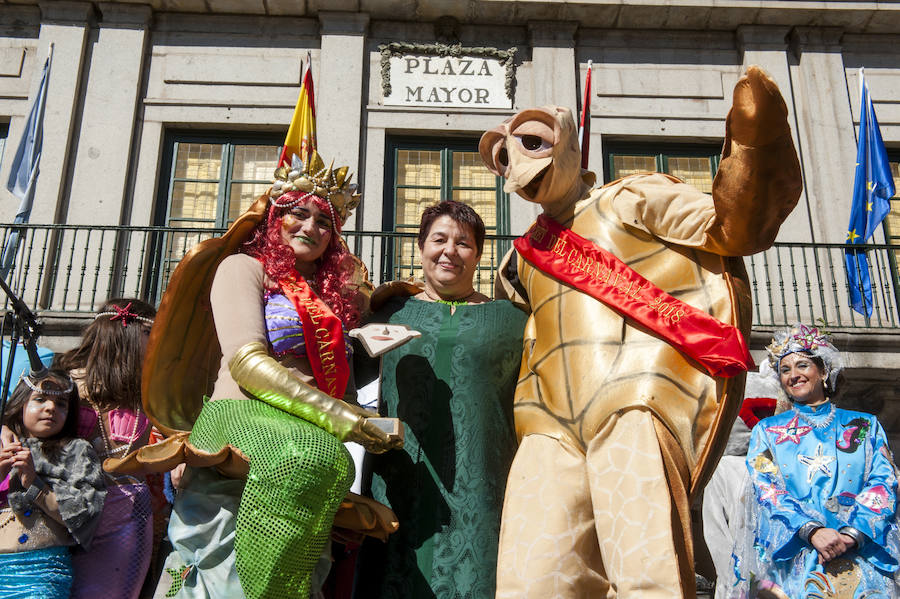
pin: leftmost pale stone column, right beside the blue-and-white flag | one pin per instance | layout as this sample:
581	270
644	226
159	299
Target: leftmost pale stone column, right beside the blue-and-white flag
66	25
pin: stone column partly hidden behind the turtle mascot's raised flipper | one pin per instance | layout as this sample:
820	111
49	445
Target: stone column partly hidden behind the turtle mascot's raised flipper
766	46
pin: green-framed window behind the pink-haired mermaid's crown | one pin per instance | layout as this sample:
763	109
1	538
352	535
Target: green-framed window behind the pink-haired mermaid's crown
211	181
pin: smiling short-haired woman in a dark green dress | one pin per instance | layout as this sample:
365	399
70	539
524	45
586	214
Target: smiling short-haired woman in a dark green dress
453	389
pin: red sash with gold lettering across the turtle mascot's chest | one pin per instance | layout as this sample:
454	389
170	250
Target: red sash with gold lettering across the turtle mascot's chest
574	260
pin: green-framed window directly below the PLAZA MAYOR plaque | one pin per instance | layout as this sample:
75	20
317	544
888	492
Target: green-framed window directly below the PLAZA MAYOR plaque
422	174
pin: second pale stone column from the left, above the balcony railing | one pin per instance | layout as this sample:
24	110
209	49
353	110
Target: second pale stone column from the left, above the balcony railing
109	118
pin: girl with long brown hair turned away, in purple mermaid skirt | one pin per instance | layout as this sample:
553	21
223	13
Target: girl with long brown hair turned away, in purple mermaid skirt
106	368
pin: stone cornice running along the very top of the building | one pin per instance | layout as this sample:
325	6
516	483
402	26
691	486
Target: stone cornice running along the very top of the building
685	15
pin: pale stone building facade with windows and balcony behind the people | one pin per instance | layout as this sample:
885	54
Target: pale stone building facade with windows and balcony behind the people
166	113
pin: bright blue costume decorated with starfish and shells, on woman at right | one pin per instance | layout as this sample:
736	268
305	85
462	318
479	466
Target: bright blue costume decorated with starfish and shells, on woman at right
831	467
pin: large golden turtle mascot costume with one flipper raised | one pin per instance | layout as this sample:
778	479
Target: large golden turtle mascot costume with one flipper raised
634	350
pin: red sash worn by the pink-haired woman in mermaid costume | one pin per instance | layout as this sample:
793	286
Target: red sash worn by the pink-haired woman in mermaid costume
323	334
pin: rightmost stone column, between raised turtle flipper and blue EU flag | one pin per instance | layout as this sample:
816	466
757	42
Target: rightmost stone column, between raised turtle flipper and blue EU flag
825	130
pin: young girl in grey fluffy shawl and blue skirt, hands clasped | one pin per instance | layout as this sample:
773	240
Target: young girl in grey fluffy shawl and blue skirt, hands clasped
52	492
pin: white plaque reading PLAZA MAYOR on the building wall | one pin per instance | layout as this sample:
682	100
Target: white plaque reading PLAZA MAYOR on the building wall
447	81
